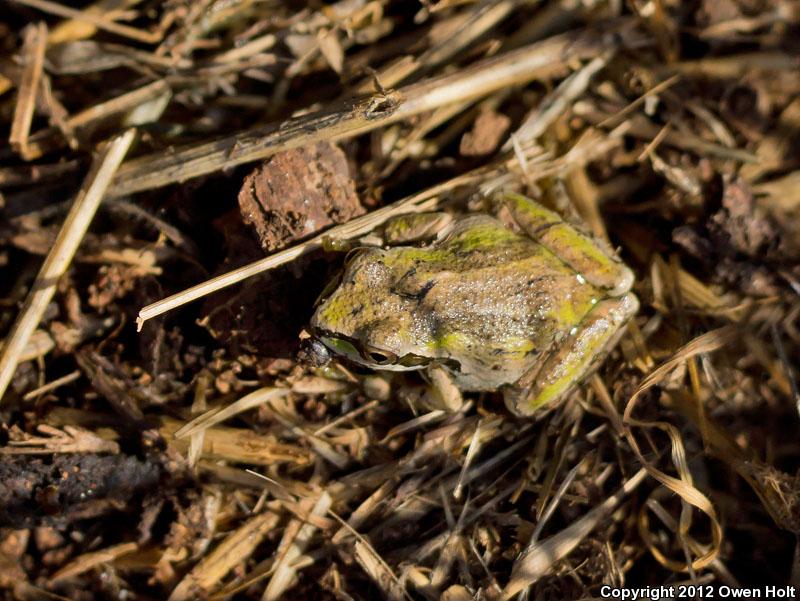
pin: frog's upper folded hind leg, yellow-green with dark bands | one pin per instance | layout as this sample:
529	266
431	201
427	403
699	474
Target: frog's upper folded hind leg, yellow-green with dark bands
580	251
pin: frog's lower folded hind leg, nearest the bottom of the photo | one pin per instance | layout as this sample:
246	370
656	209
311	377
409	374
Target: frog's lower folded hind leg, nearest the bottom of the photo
559	372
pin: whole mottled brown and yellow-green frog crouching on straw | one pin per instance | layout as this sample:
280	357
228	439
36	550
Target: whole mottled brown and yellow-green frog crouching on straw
515	299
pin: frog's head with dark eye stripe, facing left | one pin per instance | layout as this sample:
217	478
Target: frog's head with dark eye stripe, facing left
361	318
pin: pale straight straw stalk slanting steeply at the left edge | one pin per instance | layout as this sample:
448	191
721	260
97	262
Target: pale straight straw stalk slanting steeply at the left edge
60	256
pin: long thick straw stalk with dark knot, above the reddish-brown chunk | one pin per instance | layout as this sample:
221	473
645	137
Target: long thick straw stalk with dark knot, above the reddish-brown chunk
359	116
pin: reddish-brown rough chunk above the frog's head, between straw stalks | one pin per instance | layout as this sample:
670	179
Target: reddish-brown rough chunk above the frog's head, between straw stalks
297	193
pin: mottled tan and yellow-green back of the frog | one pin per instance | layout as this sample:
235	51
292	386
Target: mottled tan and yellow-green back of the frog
491	299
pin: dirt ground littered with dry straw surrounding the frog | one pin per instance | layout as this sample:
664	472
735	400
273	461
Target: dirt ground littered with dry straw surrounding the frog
189	448
